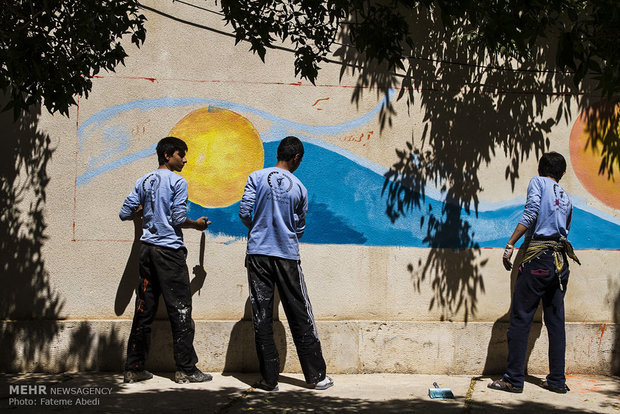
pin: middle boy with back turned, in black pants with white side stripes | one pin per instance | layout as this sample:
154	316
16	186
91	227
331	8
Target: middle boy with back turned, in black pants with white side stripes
274	207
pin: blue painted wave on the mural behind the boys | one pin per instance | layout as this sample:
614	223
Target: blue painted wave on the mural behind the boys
346	206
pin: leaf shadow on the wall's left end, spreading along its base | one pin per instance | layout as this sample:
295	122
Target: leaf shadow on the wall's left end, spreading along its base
30	307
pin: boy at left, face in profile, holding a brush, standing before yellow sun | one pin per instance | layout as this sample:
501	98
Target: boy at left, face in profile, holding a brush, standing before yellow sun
160	198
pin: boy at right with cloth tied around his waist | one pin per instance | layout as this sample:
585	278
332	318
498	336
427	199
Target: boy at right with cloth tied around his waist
543	274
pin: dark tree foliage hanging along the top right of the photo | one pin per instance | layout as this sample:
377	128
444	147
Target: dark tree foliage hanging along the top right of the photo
587	32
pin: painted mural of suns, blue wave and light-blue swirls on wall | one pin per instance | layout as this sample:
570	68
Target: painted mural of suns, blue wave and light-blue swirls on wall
347	204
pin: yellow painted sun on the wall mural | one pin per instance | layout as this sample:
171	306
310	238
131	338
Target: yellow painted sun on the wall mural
223	149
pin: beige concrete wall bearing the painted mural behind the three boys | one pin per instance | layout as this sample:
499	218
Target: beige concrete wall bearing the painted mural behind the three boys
422	292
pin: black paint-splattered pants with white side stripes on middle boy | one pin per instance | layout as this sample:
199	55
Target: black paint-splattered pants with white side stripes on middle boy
264	274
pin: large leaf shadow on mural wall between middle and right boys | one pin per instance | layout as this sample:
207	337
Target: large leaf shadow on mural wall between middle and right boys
475	109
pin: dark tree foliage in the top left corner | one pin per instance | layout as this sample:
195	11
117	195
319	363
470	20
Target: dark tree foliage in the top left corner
50	49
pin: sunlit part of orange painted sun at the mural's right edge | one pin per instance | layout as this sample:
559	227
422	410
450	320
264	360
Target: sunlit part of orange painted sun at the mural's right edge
586	163
